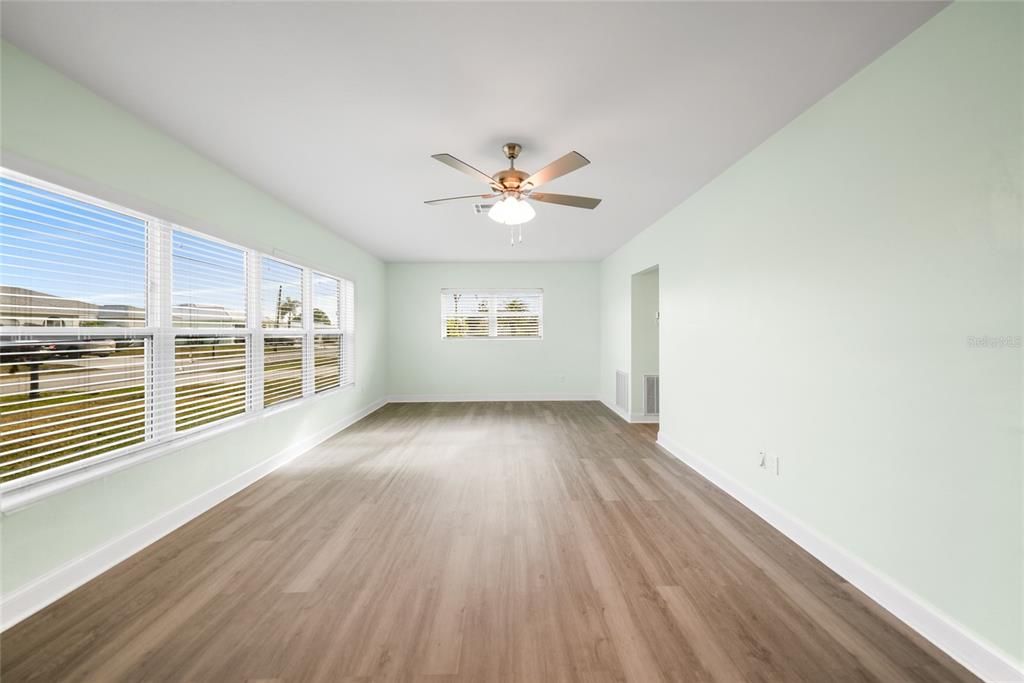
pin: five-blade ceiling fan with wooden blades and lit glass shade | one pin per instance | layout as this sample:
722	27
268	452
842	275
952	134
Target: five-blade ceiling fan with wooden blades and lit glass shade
516	186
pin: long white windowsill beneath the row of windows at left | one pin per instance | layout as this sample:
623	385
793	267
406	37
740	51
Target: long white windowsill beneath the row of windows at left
26	491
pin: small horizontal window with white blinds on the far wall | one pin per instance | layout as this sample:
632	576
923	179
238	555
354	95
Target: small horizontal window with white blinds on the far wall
493	314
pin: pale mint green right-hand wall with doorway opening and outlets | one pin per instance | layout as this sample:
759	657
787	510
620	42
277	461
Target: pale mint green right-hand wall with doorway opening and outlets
818	302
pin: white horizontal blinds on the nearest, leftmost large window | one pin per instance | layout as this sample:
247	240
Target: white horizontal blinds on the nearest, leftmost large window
72	288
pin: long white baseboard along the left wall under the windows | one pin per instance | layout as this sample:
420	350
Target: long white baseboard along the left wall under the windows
56	584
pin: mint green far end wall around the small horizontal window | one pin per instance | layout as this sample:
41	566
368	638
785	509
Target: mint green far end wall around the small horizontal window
563	365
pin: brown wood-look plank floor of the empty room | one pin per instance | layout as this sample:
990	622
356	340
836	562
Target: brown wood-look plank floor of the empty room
475	542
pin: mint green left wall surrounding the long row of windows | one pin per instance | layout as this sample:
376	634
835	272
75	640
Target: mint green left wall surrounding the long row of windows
53	125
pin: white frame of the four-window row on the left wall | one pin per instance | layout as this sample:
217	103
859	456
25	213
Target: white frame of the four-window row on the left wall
161	334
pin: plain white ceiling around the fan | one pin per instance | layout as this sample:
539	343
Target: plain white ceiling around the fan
336	108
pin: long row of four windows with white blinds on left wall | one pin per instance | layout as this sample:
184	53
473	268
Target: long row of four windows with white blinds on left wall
120	331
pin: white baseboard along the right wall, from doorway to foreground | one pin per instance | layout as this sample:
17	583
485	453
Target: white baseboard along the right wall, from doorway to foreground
944	632
